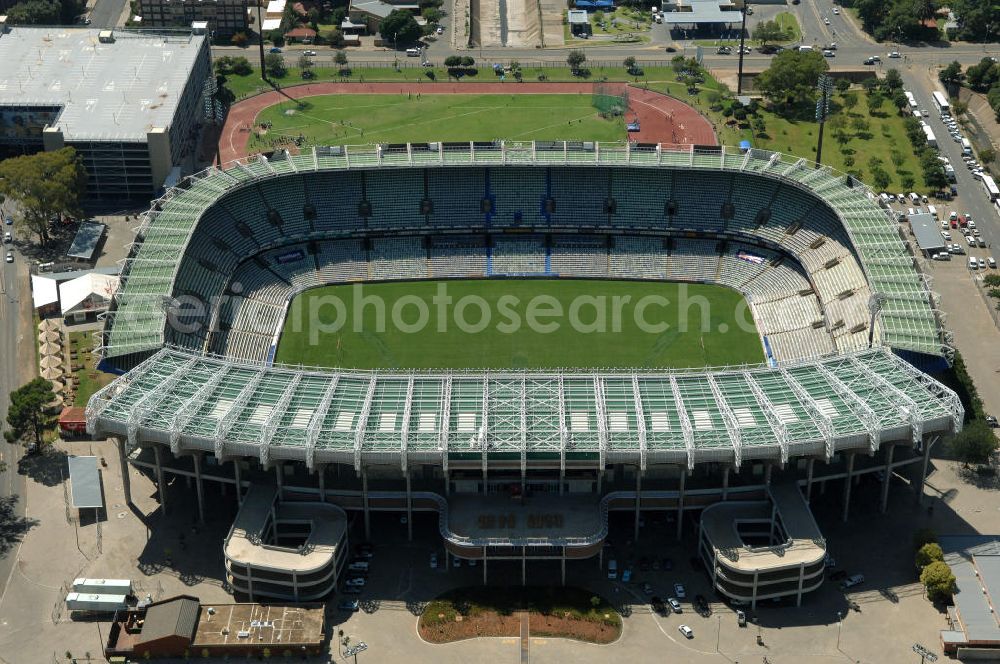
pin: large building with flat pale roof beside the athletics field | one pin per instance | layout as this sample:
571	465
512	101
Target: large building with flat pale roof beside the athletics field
131	103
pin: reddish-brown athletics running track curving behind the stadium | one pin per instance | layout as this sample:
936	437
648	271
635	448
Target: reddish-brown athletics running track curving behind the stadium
663	119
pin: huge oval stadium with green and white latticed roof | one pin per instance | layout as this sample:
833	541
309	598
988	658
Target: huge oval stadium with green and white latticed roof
522	463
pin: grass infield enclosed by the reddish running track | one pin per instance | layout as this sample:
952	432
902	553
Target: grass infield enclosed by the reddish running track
357	119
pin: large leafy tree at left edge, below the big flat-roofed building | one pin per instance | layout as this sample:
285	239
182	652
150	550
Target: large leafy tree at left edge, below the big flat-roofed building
45	184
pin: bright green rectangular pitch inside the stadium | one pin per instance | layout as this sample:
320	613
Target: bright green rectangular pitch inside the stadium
498	324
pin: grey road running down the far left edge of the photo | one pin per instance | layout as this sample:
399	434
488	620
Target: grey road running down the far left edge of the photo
14	295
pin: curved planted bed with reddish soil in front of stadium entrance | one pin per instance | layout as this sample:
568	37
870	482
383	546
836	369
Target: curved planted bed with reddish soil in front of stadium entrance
572	613
